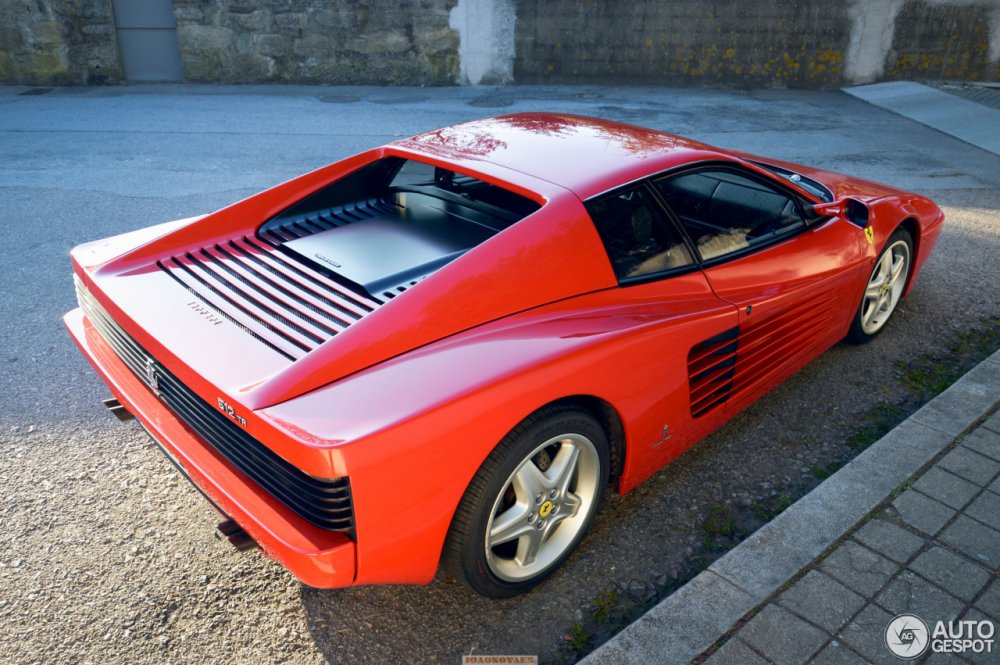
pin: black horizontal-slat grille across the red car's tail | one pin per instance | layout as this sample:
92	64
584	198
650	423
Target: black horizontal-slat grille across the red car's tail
325	503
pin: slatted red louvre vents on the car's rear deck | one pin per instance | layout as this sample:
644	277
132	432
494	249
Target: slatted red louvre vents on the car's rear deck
278	299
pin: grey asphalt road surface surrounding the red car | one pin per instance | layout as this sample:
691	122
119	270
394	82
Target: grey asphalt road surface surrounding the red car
104	552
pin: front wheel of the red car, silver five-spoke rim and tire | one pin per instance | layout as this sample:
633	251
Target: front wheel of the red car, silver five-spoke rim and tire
885	288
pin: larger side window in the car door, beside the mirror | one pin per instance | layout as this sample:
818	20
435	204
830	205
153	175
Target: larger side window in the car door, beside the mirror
725	212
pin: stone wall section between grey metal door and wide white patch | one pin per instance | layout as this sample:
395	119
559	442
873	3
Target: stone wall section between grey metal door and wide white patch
308	41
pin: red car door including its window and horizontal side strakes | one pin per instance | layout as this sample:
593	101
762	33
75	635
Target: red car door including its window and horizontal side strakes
795	284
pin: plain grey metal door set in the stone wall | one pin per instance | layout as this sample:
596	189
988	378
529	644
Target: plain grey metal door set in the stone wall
147	39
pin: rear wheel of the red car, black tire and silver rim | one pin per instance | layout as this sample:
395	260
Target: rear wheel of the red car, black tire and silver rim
492	493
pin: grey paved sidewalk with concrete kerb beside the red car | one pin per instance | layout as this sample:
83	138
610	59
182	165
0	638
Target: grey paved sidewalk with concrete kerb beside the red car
912	525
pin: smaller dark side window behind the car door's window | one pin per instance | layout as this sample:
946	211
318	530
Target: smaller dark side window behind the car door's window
638	240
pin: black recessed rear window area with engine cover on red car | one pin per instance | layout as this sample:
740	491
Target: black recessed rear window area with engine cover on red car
391	223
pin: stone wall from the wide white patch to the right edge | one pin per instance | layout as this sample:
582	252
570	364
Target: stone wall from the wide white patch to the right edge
754	43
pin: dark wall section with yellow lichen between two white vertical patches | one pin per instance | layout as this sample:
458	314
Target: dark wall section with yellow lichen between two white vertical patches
714	42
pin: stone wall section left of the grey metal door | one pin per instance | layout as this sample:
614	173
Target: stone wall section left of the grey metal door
58	42
